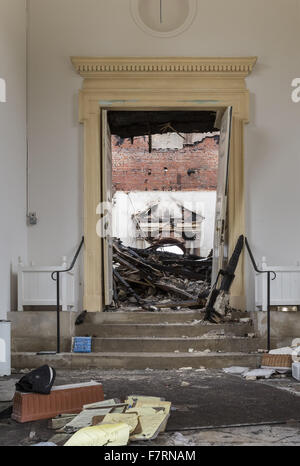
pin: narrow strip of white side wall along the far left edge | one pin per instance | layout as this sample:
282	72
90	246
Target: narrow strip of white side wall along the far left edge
13	239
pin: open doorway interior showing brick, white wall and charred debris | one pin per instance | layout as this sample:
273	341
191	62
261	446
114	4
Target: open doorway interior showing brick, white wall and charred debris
165	174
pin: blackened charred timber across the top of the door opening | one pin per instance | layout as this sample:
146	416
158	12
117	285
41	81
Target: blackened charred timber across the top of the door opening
139	123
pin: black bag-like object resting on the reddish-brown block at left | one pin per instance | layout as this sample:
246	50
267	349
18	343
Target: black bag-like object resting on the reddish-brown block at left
38	381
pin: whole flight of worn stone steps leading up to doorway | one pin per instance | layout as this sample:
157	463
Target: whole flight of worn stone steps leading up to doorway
140	340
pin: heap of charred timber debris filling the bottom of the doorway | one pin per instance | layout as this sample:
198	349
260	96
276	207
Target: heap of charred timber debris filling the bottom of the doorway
156	279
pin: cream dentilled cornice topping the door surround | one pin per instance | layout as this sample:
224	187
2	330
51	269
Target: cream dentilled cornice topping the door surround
89	67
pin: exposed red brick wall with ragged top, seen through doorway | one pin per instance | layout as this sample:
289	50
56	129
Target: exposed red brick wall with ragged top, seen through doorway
135	169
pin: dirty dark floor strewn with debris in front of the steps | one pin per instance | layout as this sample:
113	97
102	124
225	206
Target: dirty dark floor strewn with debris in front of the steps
209	407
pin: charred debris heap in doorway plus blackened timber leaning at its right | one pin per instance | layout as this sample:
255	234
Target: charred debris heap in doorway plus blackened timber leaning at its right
155	279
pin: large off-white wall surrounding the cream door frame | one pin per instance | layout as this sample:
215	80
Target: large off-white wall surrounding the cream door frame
266	28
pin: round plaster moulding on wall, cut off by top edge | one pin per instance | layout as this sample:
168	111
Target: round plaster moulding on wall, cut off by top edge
163	18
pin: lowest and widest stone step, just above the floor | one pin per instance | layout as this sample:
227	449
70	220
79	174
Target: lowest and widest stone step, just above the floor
138	360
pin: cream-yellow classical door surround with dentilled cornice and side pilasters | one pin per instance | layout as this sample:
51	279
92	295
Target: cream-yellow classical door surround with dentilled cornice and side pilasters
187	83
